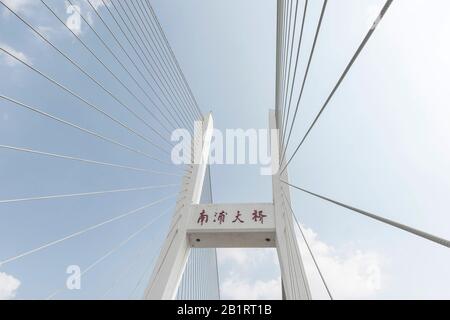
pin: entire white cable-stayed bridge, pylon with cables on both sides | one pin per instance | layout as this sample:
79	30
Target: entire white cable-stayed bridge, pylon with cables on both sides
185	267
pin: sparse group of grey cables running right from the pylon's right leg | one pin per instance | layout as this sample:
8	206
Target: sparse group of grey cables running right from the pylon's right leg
283	110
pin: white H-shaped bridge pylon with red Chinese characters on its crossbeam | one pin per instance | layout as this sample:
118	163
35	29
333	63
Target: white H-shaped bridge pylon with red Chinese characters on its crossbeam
239	225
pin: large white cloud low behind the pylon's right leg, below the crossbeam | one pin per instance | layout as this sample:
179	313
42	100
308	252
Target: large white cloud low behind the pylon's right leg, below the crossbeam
350	274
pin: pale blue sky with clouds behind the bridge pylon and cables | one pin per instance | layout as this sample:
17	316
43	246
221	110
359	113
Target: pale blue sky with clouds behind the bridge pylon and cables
381	145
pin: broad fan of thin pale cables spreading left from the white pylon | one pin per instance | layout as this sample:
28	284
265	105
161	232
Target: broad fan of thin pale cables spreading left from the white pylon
122	69
